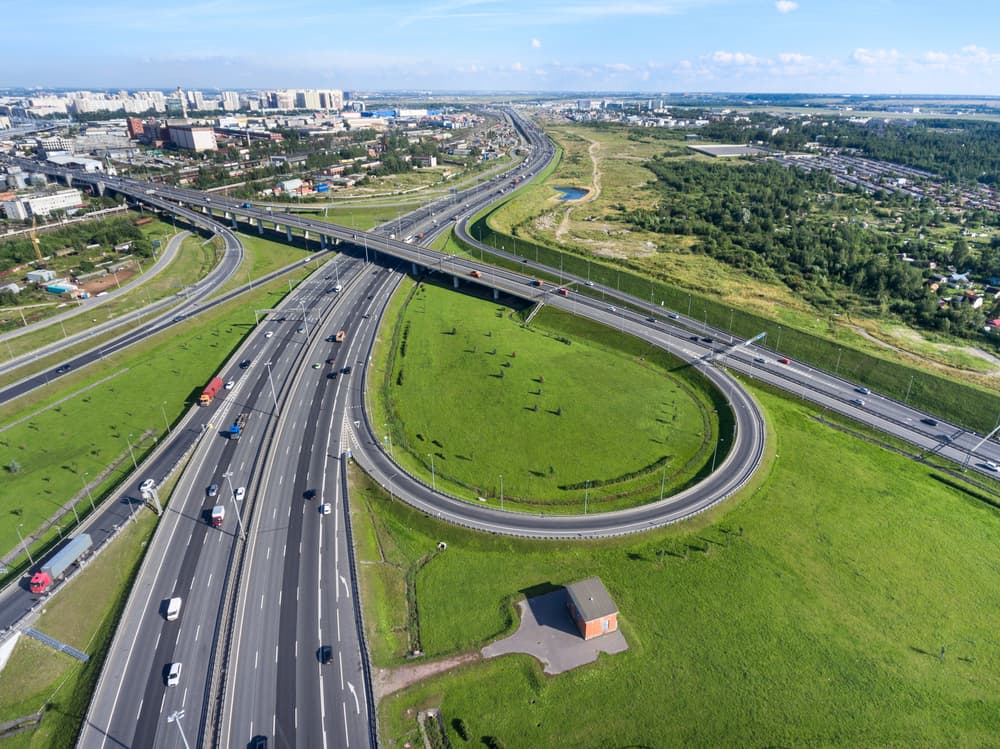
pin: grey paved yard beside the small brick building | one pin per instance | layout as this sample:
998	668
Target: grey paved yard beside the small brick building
548	632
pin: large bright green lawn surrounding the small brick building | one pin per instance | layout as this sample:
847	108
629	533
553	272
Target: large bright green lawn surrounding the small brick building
845	600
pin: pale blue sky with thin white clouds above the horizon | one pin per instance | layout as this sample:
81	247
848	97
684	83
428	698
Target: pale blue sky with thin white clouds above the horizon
801	46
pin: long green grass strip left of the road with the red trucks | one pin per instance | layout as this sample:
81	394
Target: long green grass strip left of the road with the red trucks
86	438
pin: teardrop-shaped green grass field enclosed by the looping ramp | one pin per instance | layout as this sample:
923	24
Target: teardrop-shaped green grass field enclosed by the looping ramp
539	405
